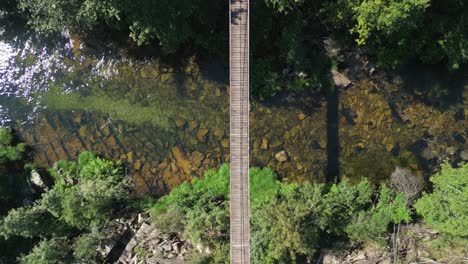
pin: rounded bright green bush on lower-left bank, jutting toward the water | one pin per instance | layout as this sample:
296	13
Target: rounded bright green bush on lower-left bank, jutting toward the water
87	191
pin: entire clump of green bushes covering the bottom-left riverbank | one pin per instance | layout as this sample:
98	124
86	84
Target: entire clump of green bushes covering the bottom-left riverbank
71	214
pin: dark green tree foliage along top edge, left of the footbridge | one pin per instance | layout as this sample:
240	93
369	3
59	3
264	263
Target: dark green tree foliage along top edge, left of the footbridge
167	22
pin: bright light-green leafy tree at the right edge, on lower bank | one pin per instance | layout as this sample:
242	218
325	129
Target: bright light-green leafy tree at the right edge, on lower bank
445	208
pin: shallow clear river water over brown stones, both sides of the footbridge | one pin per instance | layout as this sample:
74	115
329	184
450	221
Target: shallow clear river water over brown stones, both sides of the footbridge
169	124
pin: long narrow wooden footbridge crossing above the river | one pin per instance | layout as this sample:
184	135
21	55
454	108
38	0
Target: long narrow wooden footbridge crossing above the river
239	130
